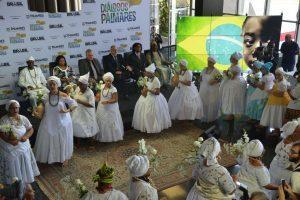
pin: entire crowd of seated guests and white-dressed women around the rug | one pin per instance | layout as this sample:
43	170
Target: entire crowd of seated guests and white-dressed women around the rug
67	108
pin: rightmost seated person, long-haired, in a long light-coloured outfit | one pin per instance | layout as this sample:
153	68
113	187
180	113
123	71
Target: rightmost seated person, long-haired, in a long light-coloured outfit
154	56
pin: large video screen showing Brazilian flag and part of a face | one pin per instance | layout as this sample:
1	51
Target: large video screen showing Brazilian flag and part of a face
199	37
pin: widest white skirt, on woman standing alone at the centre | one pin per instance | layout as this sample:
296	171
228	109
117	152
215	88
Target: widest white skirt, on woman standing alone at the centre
154	114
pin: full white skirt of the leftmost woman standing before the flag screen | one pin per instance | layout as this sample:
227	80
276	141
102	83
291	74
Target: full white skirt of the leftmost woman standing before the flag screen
185	103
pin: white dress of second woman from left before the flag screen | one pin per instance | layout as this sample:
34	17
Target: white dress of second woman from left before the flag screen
210	96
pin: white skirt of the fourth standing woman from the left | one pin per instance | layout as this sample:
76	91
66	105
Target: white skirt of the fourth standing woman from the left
109	122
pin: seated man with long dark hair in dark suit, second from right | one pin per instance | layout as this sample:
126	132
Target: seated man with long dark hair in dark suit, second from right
137	61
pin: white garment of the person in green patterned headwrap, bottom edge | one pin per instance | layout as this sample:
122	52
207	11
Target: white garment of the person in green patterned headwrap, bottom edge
110	195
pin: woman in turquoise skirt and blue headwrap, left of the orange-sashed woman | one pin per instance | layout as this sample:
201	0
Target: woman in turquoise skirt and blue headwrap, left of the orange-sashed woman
258	99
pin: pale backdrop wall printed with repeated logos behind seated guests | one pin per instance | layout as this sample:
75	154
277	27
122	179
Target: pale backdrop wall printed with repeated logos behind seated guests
100	24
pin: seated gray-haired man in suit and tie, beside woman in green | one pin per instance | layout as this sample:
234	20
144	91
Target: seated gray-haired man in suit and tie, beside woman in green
92	65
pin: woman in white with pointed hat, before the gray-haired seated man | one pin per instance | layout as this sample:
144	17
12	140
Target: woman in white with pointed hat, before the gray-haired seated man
84	116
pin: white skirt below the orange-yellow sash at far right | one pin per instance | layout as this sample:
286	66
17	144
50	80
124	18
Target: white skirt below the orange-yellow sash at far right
273	116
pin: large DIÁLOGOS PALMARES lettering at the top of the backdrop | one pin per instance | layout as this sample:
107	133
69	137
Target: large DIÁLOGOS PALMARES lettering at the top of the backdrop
118	12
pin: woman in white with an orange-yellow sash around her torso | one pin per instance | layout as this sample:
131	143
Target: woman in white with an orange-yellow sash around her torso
278	100
